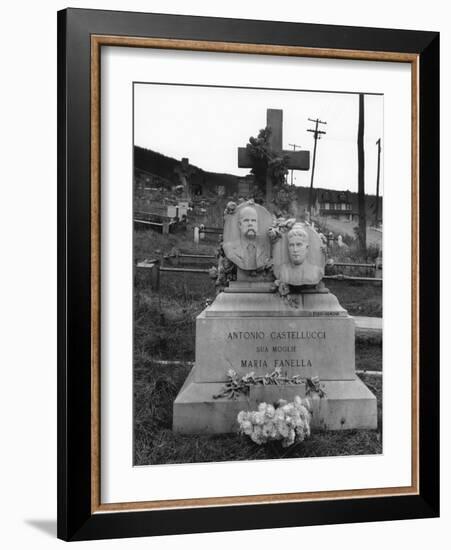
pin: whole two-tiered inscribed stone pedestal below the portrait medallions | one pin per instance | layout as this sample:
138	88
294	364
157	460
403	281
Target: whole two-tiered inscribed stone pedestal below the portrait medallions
251	330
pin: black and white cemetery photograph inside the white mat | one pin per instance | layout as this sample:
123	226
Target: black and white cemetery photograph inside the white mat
258	261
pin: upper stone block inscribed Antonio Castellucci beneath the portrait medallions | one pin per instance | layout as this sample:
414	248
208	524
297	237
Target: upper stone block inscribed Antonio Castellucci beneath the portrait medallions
258	331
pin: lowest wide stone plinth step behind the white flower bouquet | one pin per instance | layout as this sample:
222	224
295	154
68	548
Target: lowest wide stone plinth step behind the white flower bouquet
348	404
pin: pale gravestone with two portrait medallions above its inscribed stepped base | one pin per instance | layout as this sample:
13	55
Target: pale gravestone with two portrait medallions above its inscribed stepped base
253	328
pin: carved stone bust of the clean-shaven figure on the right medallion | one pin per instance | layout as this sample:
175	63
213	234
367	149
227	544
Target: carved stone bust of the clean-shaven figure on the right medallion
299	271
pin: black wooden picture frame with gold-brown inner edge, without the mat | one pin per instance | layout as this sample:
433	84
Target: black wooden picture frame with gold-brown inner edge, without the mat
81	35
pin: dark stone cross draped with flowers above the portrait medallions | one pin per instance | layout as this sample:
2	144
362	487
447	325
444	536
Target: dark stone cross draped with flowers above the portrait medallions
297	160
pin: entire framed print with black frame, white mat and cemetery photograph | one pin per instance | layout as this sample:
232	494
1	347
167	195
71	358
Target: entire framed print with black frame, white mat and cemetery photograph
248	274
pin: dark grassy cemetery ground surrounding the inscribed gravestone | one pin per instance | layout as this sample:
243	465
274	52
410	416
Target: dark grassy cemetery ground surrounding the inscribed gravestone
164	338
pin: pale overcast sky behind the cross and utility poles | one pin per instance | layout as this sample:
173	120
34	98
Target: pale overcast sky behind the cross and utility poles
208	124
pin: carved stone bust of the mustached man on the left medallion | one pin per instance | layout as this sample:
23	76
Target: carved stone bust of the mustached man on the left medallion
250	251
